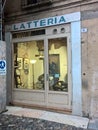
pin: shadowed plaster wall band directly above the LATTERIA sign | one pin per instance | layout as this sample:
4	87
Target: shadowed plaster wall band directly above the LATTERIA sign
15	13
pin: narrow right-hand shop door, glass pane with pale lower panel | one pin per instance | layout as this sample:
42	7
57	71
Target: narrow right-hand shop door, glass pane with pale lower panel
59	88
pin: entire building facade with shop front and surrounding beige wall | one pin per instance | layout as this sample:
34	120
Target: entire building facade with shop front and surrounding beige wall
52	55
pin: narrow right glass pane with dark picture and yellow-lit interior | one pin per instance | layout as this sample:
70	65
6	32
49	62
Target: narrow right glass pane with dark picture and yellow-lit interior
58	67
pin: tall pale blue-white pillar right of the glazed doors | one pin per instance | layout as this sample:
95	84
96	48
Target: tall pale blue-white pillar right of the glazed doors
76	68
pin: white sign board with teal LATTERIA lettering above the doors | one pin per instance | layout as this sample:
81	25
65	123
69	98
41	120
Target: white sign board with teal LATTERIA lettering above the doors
51	21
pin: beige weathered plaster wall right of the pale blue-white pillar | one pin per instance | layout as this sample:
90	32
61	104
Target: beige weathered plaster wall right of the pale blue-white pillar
90	66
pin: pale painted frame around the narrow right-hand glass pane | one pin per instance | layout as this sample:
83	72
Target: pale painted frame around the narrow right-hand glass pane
65	35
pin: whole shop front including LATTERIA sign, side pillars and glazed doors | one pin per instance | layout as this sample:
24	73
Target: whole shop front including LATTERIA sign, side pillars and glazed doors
46	63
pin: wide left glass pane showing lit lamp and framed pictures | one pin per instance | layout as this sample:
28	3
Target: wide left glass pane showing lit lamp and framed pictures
28	65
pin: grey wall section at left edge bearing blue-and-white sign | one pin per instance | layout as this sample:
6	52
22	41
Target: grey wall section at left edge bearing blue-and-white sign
2	76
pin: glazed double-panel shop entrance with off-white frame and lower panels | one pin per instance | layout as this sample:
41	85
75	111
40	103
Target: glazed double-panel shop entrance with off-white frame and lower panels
42	71
